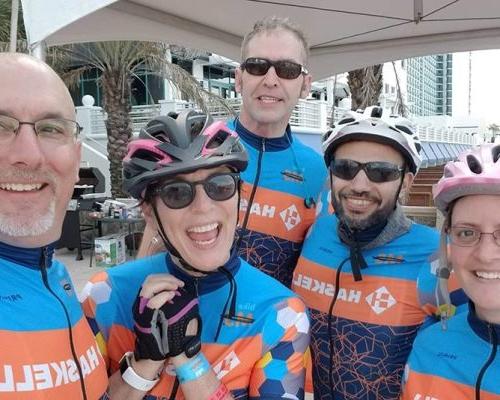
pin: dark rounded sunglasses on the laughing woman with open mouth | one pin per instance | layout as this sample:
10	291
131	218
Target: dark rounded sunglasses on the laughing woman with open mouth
179	194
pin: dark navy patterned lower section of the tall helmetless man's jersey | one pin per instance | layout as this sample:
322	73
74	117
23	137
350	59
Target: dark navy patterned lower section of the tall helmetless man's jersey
275	256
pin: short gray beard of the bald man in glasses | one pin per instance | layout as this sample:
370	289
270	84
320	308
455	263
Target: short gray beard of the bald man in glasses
28	224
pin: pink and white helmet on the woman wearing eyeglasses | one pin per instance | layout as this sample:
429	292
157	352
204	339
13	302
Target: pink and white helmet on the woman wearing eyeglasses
477	171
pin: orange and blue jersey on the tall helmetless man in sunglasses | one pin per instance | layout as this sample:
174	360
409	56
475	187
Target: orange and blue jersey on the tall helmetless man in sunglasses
280	187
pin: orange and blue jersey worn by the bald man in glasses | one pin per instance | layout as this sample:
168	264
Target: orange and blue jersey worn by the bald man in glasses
36	358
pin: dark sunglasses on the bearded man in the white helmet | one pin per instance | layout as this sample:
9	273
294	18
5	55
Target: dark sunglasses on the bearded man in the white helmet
376	171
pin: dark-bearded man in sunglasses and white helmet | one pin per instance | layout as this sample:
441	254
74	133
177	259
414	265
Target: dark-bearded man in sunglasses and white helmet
358	268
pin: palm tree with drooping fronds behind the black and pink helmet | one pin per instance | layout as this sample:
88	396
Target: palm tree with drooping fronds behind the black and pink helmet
118	63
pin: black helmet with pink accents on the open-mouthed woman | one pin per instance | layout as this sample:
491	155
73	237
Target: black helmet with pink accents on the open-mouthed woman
178	144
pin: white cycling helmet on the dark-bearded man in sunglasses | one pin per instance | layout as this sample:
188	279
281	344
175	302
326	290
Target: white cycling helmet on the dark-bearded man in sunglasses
371	127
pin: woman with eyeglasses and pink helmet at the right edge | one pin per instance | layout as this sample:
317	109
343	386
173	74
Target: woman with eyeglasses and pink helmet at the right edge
463	360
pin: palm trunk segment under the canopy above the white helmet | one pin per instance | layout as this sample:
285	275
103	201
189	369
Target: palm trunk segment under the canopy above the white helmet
365	85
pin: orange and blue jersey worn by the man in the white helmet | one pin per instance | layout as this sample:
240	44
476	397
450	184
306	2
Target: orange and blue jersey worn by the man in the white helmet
374	321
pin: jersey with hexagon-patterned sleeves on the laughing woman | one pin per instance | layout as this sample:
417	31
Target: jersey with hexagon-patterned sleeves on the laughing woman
258	359
